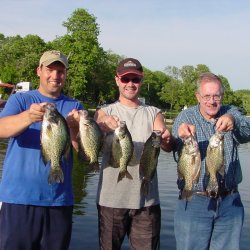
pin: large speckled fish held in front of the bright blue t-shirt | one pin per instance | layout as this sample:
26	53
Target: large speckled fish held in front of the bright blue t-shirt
55	142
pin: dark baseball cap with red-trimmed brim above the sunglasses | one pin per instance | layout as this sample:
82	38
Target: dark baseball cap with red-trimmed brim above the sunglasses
129	65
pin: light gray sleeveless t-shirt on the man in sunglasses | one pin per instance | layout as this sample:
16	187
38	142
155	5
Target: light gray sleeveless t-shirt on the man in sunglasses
126	193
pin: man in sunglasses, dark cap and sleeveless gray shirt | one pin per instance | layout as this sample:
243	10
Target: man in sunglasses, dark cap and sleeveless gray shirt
122	208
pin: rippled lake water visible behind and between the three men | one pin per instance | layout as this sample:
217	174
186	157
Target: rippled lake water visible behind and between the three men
85	225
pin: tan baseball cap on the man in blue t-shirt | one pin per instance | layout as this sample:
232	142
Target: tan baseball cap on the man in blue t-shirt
51	56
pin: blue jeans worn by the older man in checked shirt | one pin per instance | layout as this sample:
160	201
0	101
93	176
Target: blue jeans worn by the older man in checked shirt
208	223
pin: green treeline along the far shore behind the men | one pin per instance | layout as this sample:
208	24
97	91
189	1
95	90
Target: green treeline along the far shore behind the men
91	72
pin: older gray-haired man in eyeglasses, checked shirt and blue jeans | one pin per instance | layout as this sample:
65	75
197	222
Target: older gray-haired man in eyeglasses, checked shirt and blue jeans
211	220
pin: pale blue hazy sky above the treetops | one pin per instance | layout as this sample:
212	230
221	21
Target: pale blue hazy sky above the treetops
159	33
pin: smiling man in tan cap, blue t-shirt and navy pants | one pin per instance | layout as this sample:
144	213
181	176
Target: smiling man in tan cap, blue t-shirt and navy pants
34	213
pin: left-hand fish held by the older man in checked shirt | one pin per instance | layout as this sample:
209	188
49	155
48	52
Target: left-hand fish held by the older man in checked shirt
188	166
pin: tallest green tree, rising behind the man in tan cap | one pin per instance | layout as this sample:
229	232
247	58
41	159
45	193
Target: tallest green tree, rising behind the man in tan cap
86	57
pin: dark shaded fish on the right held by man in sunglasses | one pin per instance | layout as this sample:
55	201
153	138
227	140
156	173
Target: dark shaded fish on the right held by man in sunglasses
149	160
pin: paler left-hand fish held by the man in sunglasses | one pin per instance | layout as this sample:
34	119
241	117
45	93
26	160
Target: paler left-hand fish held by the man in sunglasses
122	150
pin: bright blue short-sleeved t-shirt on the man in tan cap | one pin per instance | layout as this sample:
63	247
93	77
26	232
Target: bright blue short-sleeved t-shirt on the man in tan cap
25	176
